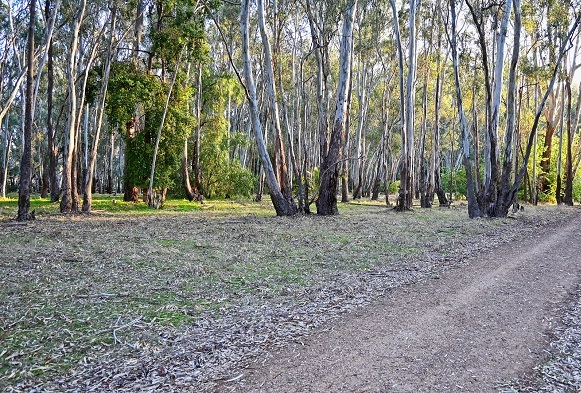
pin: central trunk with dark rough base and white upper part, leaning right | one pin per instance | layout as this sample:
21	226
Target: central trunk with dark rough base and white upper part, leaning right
331	162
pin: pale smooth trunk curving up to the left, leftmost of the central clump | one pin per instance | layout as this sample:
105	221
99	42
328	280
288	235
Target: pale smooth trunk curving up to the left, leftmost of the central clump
281	204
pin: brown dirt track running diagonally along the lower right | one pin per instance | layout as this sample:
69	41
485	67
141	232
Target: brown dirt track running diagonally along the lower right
468	330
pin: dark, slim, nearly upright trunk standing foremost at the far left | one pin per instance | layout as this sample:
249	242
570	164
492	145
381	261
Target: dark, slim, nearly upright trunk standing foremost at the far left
26	162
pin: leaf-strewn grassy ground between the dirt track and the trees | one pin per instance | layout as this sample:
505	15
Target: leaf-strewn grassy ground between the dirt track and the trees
185	302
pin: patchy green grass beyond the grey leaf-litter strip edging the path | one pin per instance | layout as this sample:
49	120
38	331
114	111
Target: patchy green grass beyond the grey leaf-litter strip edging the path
68	284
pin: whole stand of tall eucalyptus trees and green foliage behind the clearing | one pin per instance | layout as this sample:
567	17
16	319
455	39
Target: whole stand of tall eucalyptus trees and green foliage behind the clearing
303	100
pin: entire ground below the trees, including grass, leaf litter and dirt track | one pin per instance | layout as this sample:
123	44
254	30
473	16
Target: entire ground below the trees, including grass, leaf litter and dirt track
238	300
